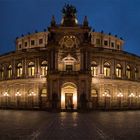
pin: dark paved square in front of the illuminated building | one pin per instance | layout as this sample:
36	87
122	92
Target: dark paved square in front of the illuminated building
33	125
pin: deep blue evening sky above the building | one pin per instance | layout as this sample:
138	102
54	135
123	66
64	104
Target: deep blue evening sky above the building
119	17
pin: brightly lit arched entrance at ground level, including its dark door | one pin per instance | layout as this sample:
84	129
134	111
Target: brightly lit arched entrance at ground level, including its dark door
69	96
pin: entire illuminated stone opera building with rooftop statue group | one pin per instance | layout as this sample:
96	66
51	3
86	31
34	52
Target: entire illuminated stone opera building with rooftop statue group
69	66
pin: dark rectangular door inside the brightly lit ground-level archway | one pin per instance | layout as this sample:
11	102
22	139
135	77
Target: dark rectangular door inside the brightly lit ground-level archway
69	100
